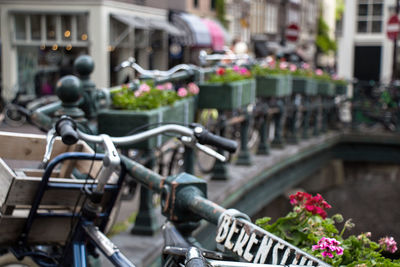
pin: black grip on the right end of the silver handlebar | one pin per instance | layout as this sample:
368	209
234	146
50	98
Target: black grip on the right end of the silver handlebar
206	138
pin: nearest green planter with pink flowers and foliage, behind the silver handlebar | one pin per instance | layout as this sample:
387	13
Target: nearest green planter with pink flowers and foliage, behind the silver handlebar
147	106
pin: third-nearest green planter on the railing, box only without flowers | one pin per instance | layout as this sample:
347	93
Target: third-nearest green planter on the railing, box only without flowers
274	86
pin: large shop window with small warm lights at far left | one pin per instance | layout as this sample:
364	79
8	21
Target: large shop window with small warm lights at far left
47	44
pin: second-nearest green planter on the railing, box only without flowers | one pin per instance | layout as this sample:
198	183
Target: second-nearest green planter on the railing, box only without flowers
227	96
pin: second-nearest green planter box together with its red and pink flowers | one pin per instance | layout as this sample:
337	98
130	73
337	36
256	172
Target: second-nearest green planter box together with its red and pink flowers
227	89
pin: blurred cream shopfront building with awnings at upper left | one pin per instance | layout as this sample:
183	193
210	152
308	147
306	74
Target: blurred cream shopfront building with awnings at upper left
41	38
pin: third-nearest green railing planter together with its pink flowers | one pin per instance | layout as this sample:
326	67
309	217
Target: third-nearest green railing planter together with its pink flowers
273	80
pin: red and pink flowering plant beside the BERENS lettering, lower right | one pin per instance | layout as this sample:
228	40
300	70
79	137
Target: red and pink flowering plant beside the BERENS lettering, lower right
309	228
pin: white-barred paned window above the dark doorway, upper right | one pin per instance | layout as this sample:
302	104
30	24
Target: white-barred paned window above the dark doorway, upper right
369	16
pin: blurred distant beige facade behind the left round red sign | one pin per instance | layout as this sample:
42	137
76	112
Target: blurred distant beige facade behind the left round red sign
269	20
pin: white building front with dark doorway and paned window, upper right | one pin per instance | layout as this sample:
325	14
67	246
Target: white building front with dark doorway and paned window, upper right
364	50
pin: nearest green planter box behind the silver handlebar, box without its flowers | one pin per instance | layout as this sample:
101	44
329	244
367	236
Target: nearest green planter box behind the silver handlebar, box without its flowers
116	122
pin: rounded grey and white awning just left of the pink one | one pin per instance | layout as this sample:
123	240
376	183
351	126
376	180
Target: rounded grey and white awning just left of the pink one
196	32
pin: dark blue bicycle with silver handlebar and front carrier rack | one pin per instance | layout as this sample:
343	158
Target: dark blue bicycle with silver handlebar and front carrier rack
91	221
